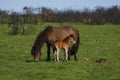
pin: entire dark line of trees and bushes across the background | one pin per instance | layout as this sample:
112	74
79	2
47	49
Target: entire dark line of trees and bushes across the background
32	16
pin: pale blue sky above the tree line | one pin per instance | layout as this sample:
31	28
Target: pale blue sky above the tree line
17	5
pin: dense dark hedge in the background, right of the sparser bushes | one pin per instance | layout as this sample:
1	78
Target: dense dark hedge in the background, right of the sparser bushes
99	16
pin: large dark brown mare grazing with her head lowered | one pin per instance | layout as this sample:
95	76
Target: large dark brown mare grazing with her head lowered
49	35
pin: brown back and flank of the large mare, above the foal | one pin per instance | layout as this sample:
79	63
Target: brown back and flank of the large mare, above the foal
60	33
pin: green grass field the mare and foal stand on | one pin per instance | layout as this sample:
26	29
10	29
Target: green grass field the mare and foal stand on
97	41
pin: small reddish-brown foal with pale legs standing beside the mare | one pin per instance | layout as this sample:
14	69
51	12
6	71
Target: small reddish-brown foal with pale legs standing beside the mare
64	44
